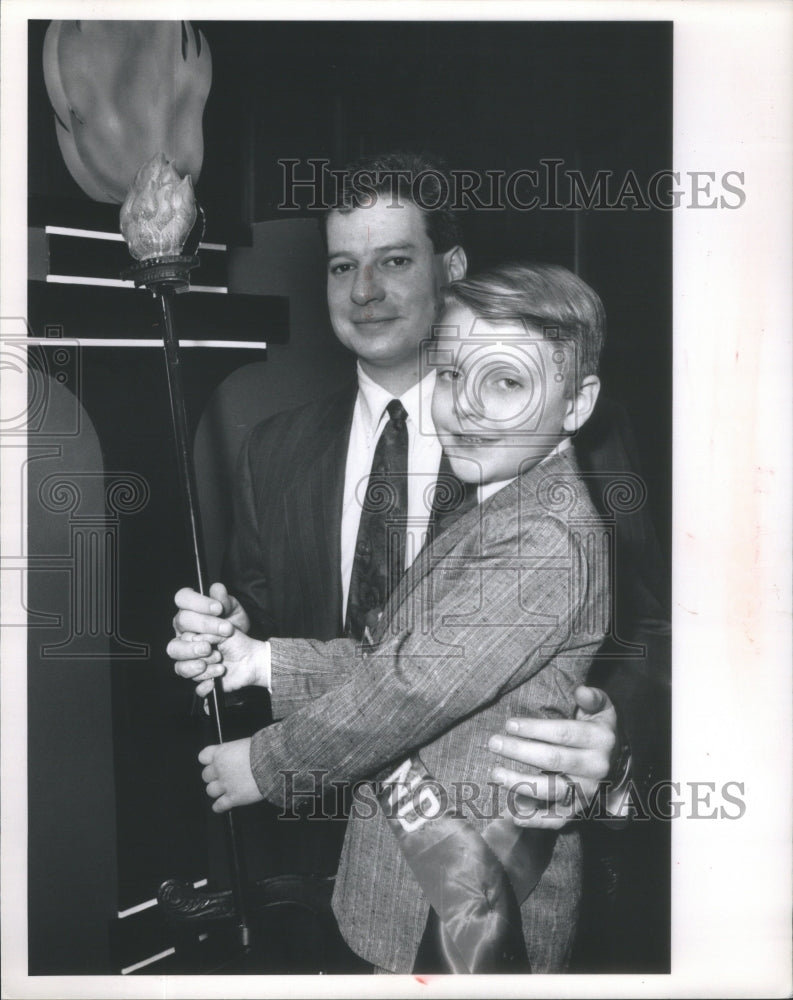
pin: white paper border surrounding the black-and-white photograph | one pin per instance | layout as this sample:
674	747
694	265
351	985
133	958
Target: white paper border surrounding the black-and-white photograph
733	363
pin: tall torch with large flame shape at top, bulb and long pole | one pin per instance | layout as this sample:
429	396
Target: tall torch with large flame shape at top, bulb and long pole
126	93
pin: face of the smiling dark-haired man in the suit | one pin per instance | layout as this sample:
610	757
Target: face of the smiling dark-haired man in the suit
383	284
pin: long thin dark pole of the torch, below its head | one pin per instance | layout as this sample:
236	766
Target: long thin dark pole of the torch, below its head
187	480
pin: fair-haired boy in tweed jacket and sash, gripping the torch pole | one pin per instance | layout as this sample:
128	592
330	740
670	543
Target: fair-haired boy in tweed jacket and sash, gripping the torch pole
499	616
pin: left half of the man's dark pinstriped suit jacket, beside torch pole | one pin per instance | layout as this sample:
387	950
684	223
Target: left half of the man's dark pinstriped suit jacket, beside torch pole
284	559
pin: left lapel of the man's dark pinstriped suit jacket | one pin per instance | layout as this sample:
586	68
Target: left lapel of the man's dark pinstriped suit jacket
312	508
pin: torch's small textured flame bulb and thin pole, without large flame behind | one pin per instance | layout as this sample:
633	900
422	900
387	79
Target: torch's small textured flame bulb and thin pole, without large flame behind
163	226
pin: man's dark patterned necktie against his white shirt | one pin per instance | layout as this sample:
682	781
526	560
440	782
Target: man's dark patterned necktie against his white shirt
380	548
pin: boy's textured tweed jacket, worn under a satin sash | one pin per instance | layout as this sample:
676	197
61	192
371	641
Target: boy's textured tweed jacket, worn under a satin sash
500	616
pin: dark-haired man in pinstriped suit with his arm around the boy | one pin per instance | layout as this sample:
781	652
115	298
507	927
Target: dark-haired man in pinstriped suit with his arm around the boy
297	499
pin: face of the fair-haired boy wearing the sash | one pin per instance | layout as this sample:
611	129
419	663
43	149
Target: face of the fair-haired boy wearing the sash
502	402
